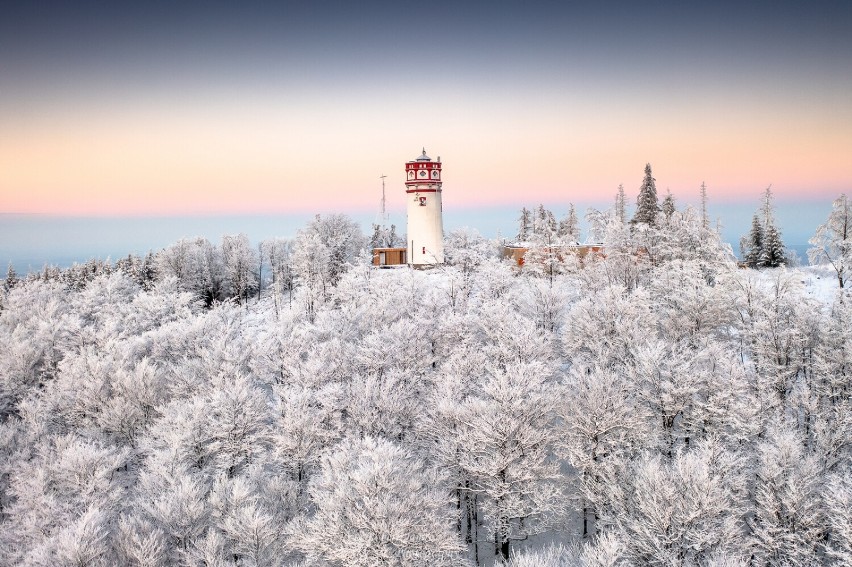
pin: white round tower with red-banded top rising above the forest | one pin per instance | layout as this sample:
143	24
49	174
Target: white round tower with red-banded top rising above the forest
425	222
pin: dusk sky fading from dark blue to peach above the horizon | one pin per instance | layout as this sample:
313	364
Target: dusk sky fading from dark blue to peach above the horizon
114	109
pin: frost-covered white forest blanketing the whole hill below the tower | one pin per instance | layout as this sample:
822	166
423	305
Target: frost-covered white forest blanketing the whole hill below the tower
288	404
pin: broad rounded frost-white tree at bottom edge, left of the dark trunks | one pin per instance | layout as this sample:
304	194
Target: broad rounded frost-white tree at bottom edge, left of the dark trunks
376	504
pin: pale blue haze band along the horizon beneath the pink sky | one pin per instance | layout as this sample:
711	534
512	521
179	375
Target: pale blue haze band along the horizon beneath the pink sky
30	241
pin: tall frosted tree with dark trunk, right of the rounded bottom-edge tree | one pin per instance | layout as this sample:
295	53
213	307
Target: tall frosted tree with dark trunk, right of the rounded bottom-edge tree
511	469
